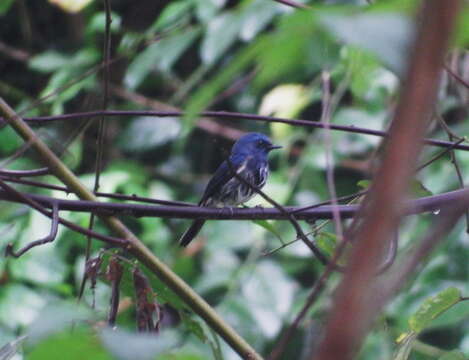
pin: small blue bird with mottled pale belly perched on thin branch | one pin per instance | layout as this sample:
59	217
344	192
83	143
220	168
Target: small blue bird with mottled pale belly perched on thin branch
248	158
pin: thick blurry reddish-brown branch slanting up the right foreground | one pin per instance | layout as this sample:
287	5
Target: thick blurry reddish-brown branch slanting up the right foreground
380	213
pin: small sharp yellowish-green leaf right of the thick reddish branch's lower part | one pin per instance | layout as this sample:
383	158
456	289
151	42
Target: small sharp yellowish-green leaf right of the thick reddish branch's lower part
433	307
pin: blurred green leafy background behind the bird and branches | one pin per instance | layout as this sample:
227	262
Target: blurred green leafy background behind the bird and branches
252	56
